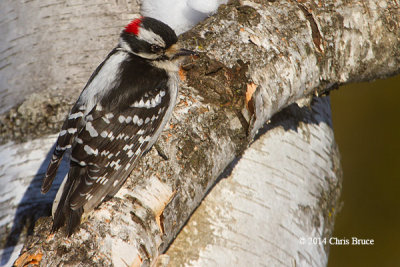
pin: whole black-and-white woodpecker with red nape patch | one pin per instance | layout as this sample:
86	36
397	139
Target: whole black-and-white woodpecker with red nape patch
119	115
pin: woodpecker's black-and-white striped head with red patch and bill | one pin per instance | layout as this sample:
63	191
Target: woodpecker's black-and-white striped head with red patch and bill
151	39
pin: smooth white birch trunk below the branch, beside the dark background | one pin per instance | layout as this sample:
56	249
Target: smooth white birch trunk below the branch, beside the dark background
277	205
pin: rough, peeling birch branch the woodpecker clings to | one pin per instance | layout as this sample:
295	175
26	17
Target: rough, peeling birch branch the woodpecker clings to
277	53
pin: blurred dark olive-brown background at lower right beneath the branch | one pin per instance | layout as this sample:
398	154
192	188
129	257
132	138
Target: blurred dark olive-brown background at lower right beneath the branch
366	121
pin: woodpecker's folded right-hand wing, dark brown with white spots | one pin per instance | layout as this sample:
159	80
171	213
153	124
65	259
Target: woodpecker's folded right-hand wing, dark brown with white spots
109	145
